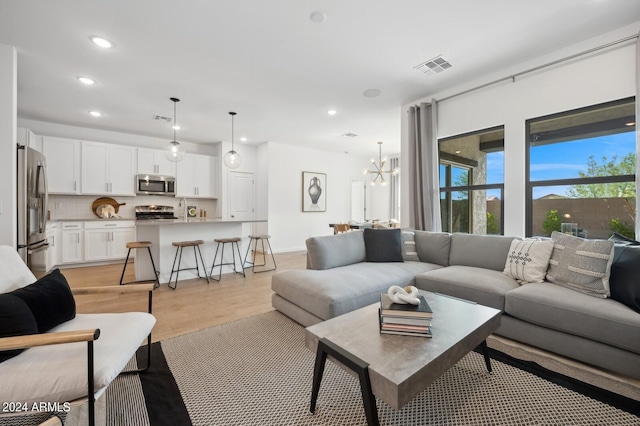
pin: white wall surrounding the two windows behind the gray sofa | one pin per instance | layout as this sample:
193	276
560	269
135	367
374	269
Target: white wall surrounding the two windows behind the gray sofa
599	77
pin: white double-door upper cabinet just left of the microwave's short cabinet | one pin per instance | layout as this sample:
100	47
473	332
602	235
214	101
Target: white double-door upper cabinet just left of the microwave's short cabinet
108	169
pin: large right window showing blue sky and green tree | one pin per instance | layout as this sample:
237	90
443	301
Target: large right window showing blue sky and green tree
581	171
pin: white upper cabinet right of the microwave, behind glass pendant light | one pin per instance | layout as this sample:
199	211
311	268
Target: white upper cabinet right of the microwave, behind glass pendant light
195	177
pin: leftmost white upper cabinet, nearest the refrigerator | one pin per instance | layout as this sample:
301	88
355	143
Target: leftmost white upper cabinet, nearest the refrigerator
63	164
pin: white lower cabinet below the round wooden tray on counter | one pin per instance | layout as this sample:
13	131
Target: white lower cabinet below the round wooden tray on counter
107	240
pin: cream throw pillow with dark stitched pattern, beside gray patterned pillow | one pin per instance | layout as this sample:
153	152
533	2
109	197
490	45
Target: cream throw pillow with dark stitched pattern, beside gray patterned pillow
527	260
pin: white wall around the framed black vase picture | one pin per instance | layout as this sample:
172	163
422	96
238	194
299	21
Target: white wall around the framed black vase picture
289	227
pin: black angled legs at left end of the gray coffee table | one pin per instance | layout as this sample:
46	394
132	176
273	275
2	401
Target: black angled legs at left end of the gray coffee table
326	347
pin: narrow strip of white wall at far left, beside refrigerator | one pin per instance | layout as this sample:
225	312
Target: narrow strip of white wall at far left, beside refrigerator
8	108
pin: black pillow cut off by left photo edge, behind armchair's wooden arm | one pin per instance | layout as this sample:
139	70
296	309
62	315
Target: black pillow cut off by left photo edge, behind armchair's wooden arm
16	319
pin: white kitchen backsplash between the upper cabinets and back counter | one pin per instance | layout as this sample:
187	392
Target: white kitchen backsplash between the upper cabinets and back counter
66	207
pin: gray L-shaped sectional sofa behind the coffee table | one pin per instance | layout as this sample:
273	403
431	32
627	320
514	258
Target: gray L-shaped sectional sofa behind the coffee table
338	279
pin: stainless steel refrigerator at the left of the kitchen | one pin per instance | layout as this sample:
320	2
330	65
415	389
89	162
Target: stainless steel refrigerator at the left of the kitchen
32	203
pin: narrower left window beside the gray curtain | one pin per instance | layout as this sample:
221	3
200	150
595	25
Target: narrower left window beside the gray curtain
472	182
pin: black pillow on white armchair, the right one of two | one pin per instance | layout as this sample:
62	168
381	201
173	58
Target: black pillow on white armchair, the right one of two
50	300
